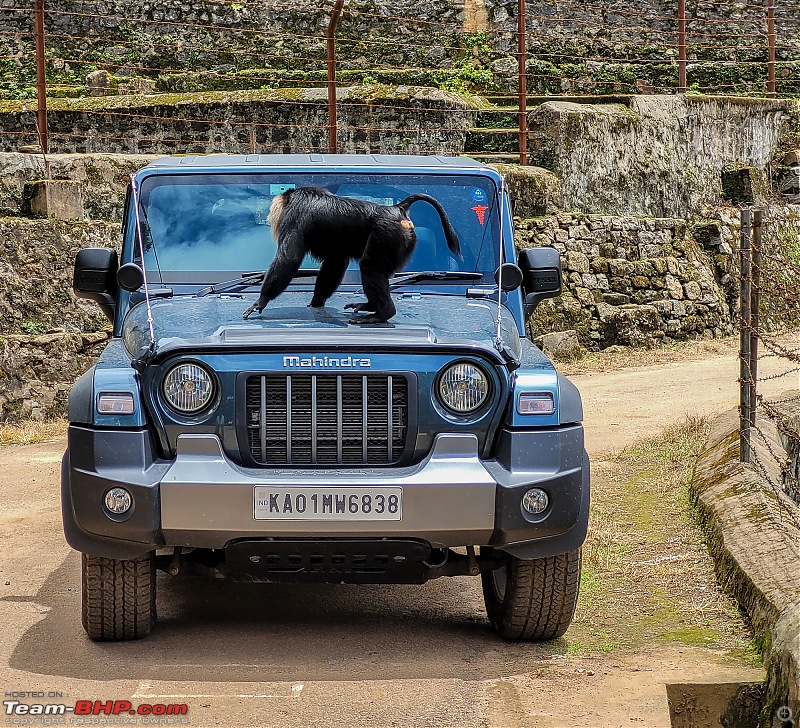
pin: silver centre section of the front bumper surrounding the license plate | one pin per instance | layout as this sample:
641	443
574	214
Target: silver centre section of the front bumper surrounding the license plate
207	500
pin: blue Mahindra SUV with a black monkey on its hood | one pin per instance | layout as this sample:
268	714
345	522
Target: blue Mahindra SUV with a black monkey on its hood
295	446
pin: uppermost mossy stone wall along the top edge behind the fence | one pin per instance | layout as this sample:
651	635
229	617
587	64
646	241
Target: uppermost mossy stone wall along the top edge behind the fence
574	47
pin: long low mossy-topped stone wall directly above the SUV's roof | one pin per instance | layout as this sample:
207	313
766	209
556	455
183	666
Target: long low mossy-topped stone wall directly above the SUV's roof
371	118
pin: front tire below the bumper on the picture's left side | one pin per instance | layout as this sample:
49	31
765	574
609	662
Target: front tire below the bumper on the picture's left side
119	597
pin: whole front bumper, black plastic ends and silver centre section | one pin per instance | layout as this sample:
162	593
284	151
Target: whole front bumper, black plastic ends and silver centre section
201	499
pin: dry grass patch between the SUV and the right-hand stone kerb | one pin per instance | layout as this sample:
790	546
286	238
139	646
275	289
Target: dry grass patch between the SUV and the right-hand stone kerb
648	579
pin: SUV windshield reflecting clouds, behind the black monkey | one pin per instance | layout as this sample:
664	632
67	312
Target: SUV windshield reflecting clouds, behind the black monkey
206	228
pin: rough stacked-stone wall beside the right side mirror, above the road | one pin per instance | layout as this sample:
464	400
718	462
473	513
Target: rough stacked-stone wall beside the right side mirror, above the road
631	281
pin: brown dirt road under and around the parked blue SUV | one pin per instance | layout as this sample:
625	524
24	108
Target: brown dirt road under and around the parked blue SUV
260	655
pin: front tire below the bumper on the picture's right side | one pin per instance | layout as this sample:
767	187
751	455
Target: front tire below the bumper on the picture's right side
533	600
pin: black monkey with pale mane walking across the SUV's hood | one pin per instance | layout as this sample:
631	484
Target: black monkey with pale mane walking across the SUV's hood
336	230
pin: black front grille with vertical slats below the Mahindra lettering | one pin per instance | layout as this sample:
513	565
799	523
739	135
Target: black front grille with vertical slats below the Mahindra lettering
354	419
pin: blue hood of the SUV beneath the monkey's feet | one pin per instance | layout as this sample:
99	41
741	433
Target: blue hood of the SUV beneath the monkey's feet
217	321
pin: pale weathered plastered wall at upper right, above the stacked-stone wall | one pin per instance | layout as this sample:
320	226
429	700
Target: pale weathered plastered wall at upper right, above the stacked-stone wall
659	156
